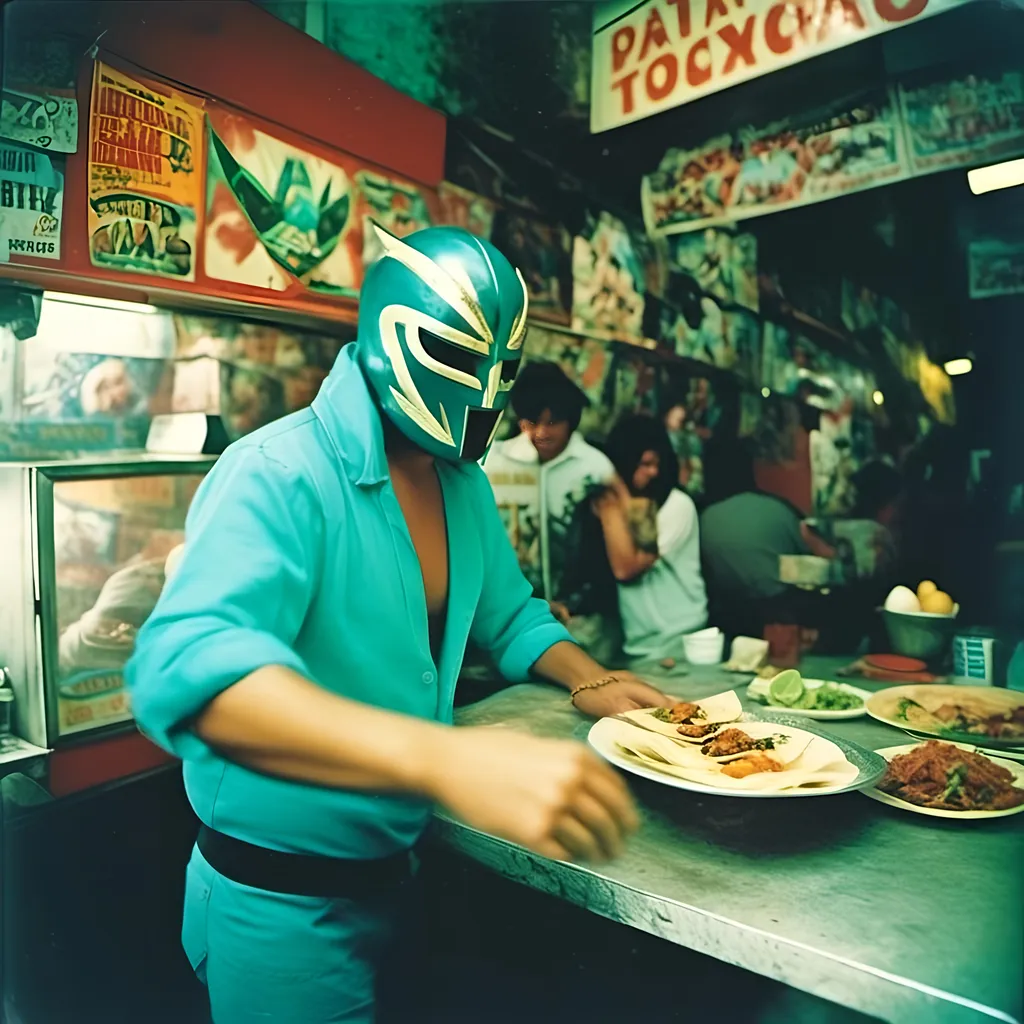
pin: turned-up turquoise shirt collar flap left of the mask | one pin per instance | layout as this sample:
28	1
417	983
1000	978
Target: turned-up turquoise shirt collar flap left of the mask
353	421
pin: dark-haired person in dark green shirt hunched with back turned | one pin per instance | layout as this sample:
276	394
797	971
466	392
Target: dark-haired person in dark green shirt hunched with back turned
743	533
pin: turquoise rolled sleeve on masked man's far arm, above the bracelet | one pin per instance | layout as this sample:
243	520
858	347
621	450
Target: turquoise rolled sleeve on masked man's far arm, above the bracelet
513	625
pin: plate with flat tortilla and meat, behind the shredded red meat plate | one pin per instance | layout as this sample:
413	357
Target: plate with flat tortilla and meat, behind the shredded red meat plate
985	716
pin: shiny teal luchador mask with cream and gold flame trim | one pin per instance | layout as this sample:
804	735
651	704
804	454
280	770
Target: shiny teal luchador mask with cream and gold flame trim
443	317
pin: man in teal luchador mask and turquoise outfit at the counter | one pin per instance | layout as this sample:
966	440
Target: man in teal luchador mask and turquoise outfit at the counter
303	660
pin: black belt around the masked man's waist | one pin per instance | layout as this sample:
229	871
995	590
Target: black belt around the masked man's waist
304	875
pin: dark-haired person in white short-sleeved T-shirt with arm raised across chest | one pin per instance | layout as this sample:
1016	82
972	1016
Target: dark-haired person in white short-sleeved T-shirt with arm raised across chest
653	540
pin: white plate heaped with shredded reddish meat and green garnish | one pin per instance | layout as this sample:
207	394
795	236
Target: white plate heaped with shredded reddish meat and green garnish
950	781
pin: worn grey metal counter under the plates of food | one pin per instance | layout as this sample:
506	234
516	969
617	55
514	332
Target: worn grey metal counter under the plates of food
906	918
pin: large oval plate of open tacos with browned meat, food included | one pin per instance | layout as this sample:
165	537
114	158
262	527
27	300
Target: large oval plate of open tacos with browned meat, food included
711	747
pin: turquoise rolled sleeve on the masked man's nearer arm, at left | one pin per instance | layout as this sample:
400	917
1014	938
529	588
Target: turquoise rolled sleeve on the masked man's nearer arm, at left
238	599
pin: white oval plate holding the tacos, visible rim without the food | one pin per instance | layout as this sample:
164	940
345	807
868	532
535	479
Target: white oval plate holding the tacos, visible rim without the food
862	764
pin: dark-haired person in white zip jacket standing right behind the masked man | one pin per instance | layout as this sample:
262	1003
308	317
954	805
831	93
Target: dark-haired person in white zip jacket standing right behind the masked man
544	481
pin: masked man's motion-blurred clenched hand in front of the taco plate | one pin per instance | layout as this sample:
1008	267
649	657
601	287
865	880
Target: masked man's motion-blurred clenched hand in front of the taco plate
553	797
